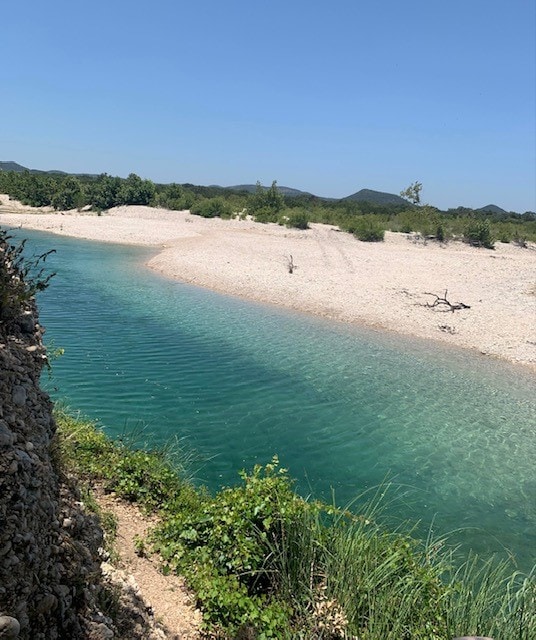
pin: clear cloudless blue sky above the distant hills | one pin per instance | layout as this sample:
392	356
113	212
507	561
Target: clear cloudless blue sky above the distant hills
327	97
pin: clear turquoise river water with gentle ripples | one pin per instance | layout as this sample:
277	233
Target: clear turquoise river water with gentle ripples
344	408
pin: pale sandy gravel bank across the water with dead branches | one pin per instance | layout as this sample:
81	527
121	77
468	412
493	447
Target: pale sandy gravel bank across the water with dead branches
383	285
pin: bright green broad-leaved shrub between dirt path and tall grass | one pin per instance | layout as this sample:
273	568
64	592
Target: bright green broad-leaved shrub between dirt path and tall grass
222	546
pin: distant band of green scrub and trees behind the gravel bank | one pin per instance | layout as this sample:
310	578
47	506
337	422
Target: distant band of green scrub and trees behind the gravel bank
366	220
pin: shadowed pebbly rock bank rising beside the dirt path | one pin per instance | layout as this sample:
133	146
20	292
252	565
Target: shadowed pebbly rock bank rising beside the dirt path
49	562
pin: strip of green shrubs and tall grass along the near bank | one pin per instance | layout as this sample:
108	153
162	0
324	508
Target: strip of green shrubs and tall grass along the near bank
265	563
